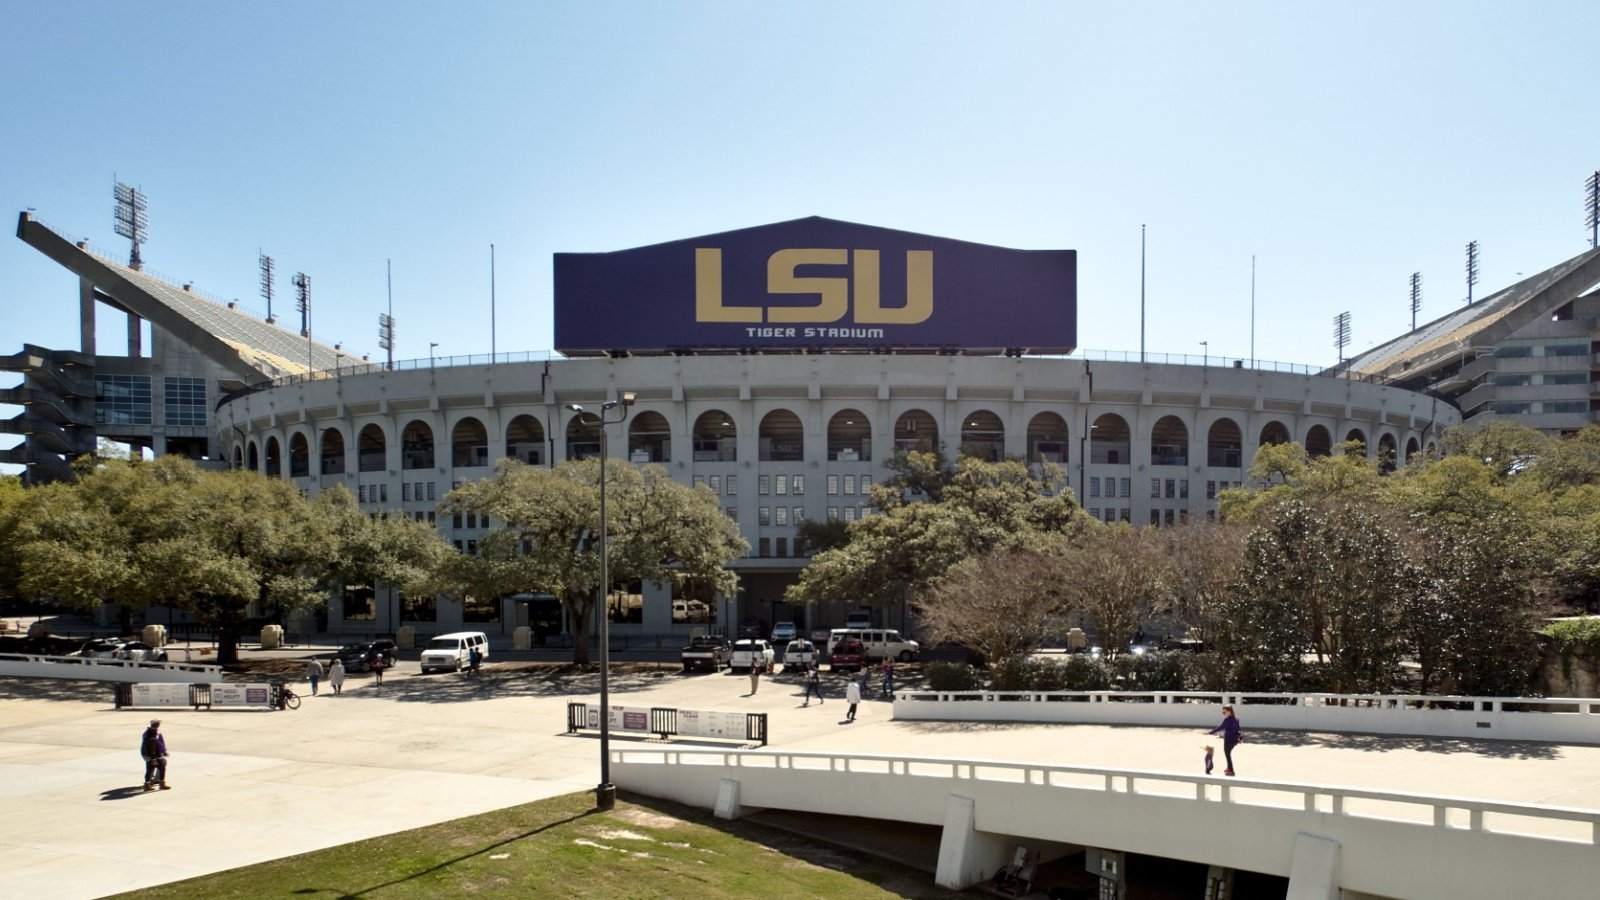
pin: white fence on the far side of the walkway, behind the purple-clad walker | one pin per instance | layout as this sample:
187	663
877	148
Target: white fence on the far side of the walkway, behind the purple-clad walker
1492	718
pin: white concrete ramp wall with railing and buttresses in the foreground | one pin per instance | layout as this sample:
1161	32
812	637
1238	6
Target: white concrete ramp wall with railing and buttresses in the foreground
1391	845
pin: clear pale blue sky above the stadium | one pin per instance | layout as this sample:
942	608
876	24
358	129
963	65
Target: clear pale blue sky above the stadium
1345	147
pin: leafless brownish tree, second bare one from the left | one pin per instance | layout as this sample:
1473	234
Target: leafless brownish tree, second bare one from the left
1118	577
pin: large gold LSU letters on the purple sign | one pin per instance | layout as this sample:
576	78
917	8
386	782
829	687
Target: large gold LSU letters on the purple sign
833	294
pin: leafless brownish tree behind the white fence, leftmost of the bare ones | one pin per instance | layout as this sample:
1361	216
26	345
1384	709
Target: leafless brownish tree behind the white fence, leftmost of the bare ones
996	605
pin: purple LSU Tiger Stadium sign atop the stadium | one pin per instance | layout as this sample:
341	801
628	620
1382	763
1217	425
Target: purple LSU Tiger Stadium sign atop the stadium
817	284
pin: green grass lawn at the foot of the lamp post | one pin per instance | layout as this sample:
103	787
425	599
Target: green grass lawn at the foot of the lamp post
564	848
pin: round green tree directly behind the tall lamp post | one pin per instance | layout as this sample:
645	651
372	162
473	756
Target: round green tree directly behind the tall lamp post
548	528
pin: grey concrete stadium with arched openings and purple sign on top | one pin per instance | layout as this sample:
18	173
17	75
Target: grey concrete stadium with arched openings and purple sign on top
782	368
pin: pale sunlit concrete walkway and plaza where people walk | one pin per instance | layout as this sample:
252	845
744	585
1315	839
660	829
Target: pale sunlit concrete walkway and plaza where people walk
260	785
